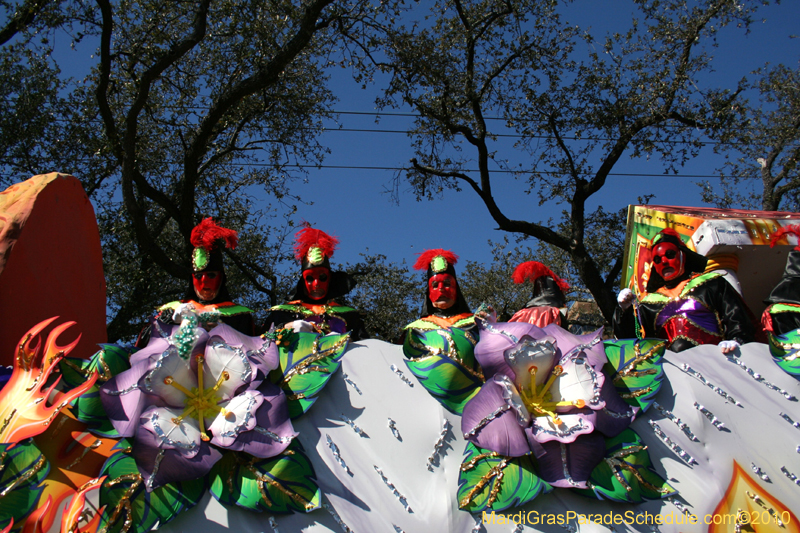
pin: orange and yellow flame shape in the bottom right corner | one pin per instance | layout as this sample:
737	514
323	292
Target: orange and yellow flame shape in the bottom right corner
749	505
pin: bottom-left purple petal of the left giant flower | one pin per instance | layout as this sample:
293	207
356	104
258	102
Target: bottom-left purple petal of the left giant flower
173	465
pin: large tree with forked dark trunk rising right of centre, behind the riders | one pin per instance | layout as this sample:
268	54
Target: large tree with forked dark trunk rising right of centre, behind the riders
579	102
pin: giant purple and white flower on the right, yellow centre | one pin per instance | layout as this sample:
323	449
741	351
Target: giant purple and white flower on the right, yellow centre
545	394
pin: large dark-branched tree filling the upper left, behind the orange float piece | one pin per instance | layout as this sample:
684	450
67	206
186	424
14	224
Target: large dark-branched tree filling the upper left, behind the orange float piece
191	109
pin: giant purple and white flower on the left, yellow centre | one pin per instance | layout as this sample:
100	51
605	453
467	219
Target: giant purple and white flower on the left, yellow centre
190	393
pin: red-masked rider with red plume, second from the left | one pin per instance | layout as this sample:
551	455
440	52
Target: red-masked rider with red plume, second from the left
312	305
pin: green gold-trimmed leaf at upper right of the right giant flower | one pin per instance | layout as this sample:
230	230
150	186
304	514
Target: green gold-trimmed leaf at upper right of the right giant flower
635	367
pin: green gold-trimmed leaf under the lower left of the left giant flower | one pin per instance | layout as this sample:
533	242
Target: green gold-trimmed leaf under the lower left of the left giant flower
128	504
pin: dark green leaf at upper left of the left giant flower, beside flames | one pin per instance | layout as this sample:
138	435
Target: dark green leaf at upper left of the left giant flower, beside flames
108	362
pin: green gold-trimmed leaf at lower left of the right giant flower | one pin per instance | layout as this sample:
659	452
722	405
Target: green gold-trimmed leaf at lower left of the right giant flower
488	481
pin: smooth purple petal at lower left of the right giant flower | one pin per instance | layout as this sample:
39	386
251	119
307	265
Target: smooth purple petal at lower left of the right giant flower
488	422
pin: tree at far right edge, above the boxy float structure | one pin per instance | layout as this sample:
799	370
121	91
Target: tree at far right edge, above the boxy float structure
763	148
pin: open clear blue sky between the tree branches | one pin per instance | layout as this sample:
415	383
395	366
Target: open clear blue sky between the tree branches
353	205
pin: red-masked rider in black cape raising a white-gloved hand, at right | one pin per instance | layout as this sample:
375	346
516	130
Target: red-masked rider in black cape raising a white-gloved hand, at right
684	304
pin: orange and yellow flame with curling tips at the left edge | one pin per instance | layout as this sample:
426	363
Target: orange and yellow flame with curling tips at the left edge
24	409
